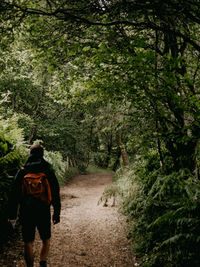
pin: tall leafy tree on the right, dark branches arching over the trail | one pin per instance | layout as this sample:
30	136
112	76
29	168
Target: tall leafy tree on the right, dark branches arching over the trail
146	52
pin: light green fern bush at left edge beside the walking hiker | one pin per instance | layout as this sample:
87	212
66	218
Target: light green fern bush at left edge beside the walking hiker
12	154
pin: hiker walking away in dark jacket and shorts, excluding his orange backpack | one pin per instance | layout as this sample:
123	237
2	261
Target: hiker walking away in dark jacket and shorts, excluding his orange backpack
34	212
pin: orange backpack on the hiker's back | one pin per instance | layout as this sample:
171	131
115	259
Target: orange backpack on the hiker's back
36	185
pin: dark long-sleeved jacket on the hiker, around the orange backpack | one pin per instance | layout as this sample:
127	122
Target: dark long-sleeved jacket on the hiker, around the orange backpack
34	165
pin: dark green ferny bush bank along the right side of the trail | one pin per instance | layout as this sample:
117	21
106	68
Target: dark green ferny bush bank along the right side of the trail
163	214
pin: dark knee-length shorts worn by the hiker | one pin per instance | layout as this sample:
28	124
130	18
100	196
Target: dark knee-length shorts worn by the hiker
36	216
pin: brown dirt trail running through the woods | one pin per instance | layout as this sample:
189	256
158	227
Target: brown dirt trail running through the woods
88	234
